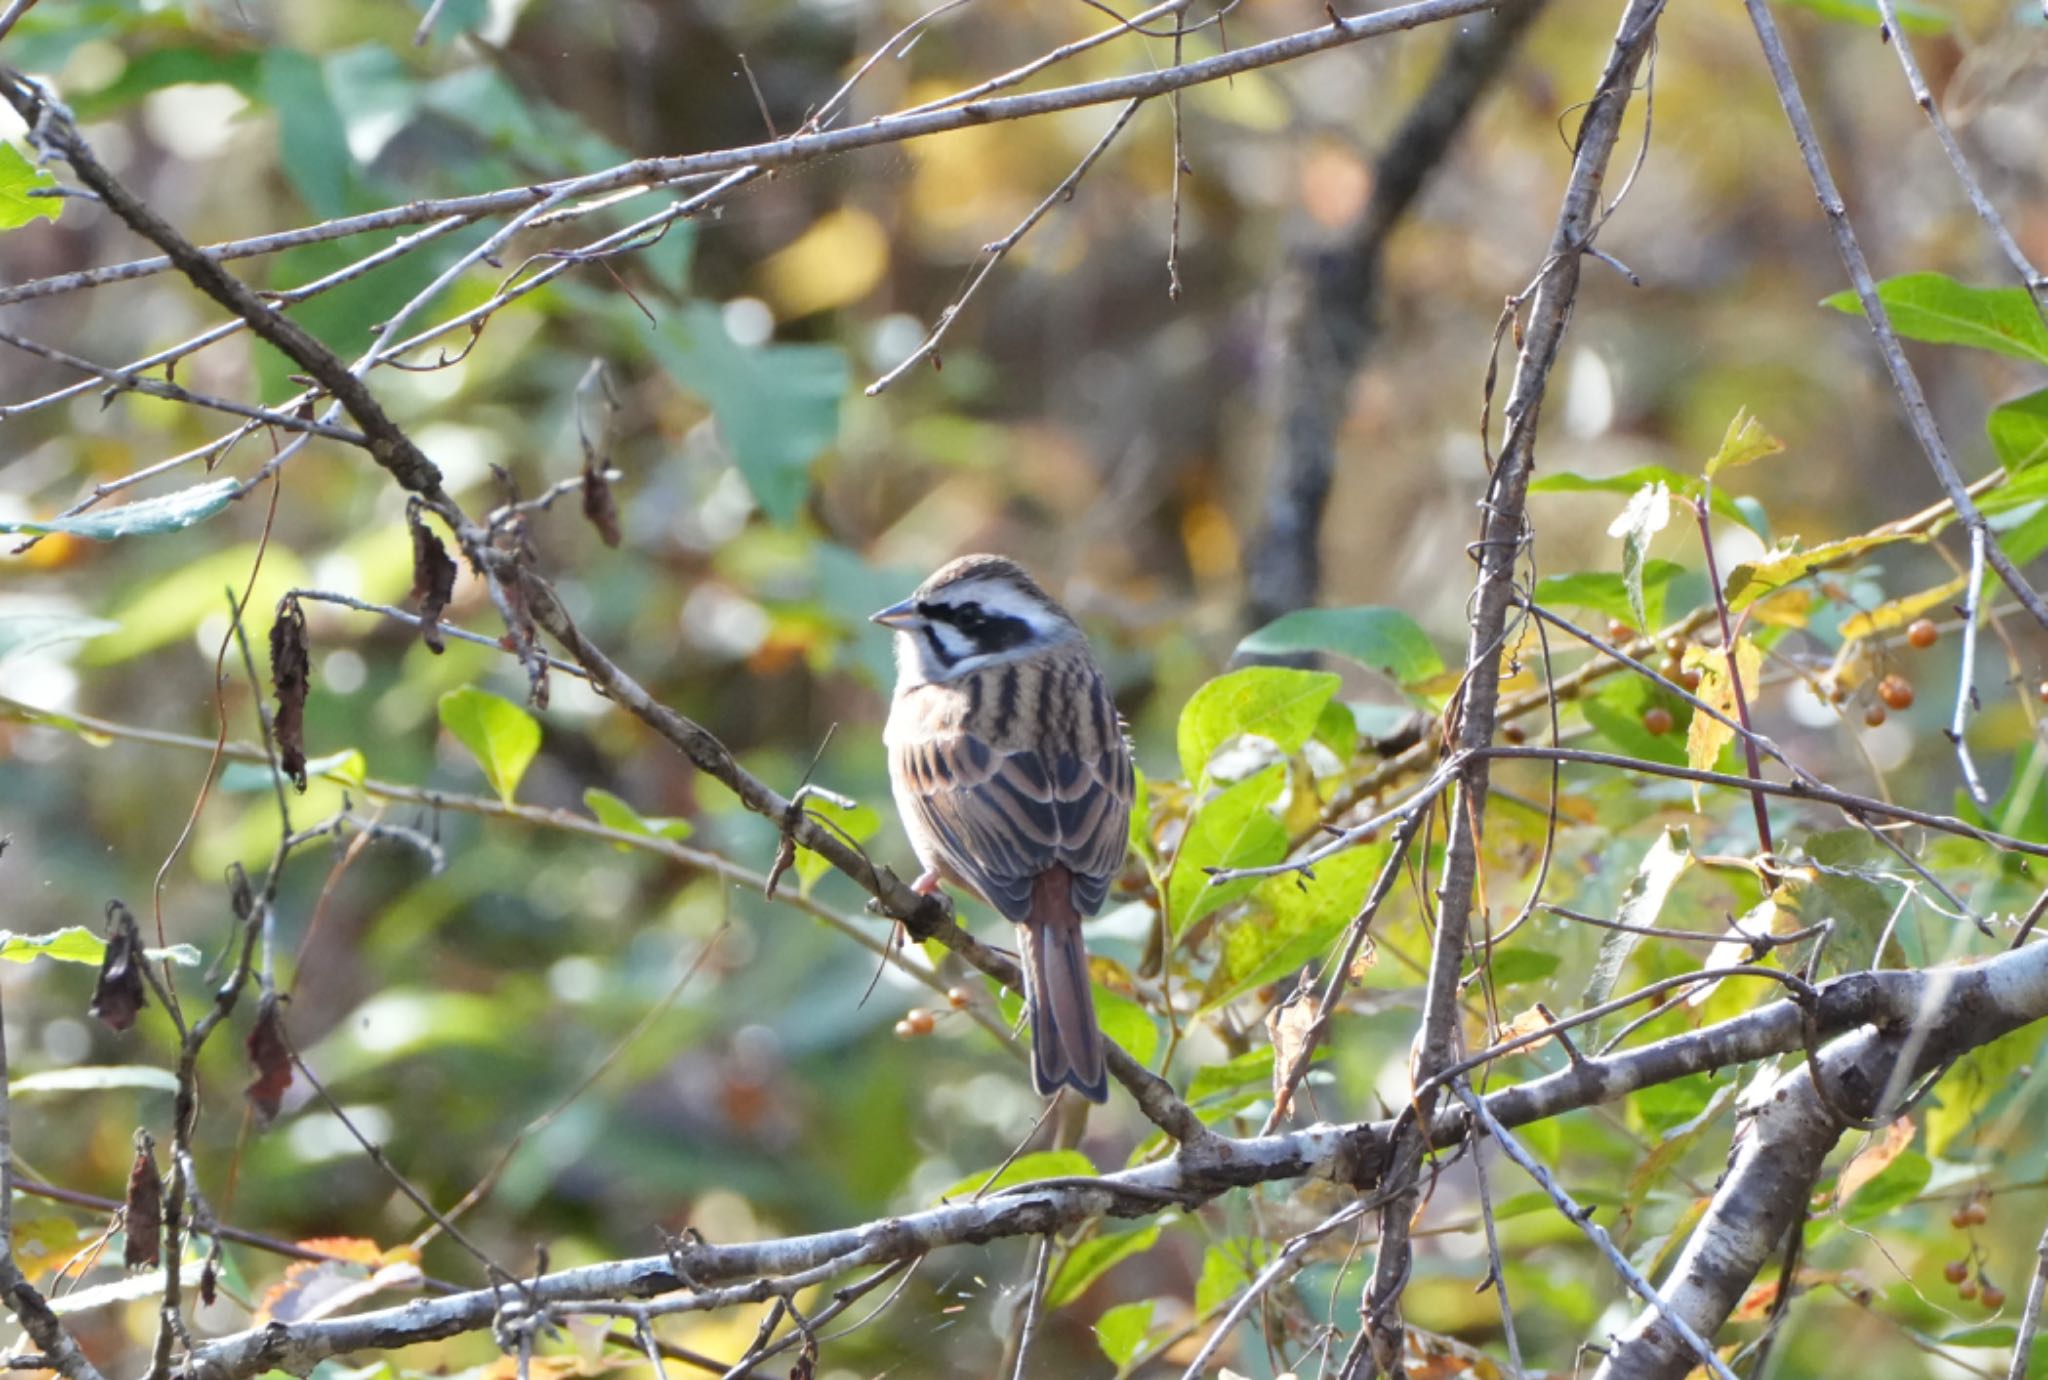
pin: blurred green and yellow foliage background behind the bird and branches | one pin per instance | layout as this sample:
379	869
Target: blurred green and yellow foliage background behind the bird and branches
1111	437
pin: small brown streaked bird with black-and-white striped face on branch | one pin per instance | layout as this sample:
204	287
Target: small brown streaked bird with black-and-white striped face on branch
1013	777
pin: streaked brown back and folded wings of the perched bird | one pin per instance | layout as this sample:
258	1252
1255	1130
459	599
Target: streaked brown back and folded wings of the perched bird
1062	795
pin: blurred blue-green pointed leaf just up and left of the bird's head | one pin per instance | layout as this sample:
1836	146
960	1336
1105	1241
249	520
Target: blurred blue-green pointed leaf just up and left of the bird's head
777	406
